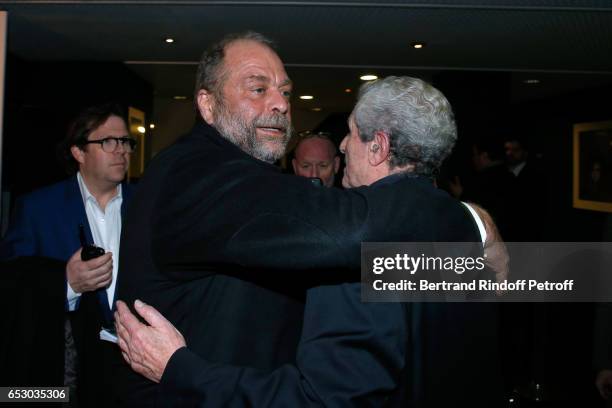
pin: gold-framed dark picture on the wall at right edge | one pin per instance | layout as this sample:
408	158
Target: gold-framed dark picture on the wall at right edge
593	166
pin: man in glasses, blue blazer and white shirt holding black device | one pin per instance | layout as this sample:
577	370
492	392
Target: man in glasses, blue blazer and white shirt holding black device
48	223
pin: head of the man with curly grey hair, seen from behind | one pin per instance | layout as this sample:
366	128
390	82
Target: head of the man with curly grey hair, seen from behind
399	125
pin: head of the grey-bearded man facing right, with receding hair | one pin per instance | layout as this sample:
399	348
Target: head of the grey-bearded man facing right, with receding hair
247	98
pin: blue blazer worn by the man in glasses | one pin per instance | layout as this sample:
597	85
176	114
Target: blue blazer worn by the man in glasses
46	222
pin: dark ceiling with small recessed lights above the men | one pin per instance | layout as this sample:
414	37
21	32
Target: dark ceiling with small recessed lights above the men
326	45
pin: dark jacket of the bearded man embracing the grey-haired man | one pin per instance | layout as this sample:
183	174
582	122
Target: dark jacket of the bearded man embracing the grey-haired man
224	246
